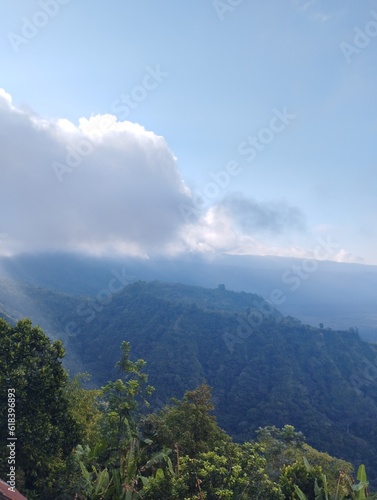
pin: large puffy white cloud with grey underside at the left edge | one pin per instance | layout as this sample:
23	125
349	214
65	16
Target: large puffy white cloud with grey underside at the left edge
100	186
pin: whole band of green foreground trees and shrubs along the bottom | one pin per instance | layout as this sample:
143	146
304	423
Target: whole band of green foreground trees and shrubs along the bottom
79	443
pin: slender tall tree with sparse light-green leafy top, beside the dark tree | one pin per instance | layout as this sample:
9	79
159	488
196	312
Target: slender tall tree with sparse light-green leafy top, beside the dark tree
115	467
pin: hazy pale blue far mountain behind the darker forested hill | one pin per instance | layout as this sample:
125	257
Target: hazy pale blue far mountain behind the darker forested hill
336	294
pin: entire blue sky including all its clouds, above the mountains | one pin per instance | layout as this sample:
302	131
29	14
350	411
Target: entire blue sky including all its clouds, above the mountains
211	126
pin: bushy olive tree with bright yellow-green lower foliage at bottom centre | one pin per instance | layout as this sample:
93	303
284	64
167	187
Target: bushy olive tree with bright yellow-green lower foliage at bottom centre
207	464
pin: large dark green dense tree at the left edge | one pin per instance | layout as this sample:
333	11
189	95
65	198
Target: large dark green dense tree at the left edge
30	366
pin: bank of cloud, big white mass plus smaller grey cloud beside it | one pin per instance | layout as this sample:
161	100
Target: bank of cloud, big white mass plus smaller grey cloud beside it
107	186
